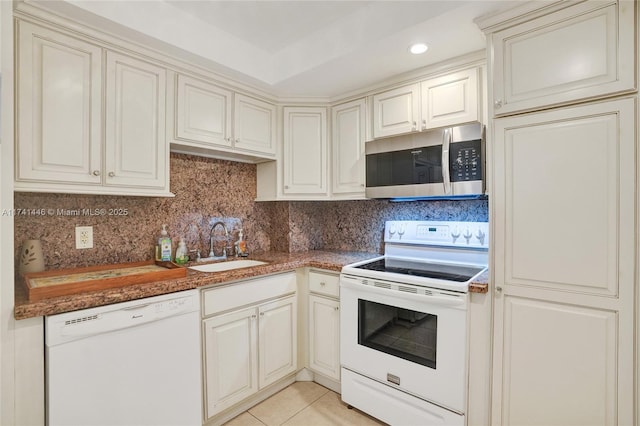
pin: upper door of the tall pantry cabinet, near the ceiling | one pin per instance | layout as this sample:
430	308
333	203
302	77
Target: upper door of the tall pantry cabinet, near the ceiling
579	52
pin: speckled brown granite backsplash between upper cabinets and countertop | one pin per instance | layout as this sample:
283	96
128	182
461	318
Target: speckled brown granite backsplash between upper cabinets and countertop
207	190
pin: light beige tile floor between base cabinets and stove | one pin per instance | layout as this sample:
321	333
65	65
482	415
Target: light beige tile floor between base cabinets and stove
303	404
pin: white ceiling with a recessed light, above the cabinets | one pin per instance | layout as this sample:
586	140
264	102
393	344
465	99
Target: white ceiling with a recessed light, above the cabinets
297	48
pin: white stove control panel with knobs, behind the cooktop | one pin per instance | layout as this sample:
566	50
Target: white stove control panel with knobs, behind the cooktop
441	233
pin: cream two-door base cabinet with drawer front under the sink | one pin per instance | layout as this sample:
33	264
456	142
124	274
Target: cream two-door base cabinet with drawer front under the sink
250	338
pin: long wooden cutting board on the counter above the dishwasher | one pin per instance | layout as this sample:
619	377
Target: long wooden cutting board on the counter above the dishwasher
65	282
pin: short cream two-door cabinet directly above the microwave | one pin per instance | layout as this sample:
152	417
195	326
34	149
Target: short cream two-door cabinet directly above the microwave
446	100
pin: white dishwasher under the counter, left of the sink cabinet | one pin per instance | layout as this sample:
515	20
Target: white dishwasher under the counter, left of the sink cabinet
135	363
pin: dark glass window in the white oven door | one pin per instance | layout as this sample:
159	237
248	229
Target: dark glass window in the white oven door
403	333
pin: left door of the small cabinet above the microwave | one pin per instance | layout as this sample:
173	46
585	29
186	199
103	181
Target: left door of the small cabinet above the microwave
396	111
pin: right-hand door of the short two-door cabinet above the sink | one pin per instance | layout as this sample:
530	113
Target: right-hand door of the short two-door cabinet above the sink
254	125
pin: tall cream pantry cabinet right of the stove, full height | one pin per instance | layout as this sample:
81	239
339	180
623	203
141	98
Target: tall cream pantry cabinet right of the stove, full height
564	213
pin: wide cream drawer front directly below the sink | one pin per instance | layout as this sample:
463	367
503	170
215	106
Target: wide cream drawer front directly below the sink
243	293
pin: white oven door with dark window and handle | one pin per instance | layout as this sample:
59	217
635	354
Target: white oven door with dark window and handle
410	341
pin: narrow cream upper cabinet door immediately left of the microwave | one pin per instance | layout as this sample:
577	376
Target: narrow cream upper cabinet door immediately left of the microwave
347	144
